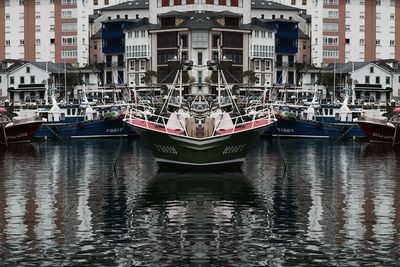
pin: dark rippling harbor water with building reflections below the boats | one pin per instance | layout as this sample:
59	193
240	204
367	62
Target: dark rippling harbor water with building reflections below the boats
296	203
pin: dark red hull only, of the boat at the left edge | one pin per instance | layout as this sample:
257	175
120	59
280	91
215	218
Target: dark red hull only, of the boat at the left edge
19	133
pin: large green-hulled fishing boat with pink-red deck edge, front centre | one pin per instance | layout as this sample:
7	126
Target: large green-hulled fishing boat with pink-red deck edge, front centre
202	131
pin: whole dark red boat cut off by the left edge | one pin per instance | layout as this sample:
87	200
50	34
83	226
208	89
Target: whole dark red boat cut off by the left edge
14	130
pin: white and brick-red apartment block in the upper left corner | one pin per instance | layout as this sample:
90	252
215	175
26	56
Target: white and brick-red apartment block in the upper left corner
47	30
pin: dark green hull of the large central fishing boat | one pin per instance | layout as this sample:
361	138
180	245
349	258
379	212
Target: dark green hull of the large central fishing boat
215	152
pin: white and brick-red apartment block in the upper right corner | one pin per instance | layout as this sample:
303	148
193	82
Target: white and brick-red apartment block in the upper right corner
352	30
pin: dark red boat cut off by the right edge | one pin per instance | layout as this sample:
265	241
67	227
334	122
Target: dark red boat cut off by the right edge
382	130
